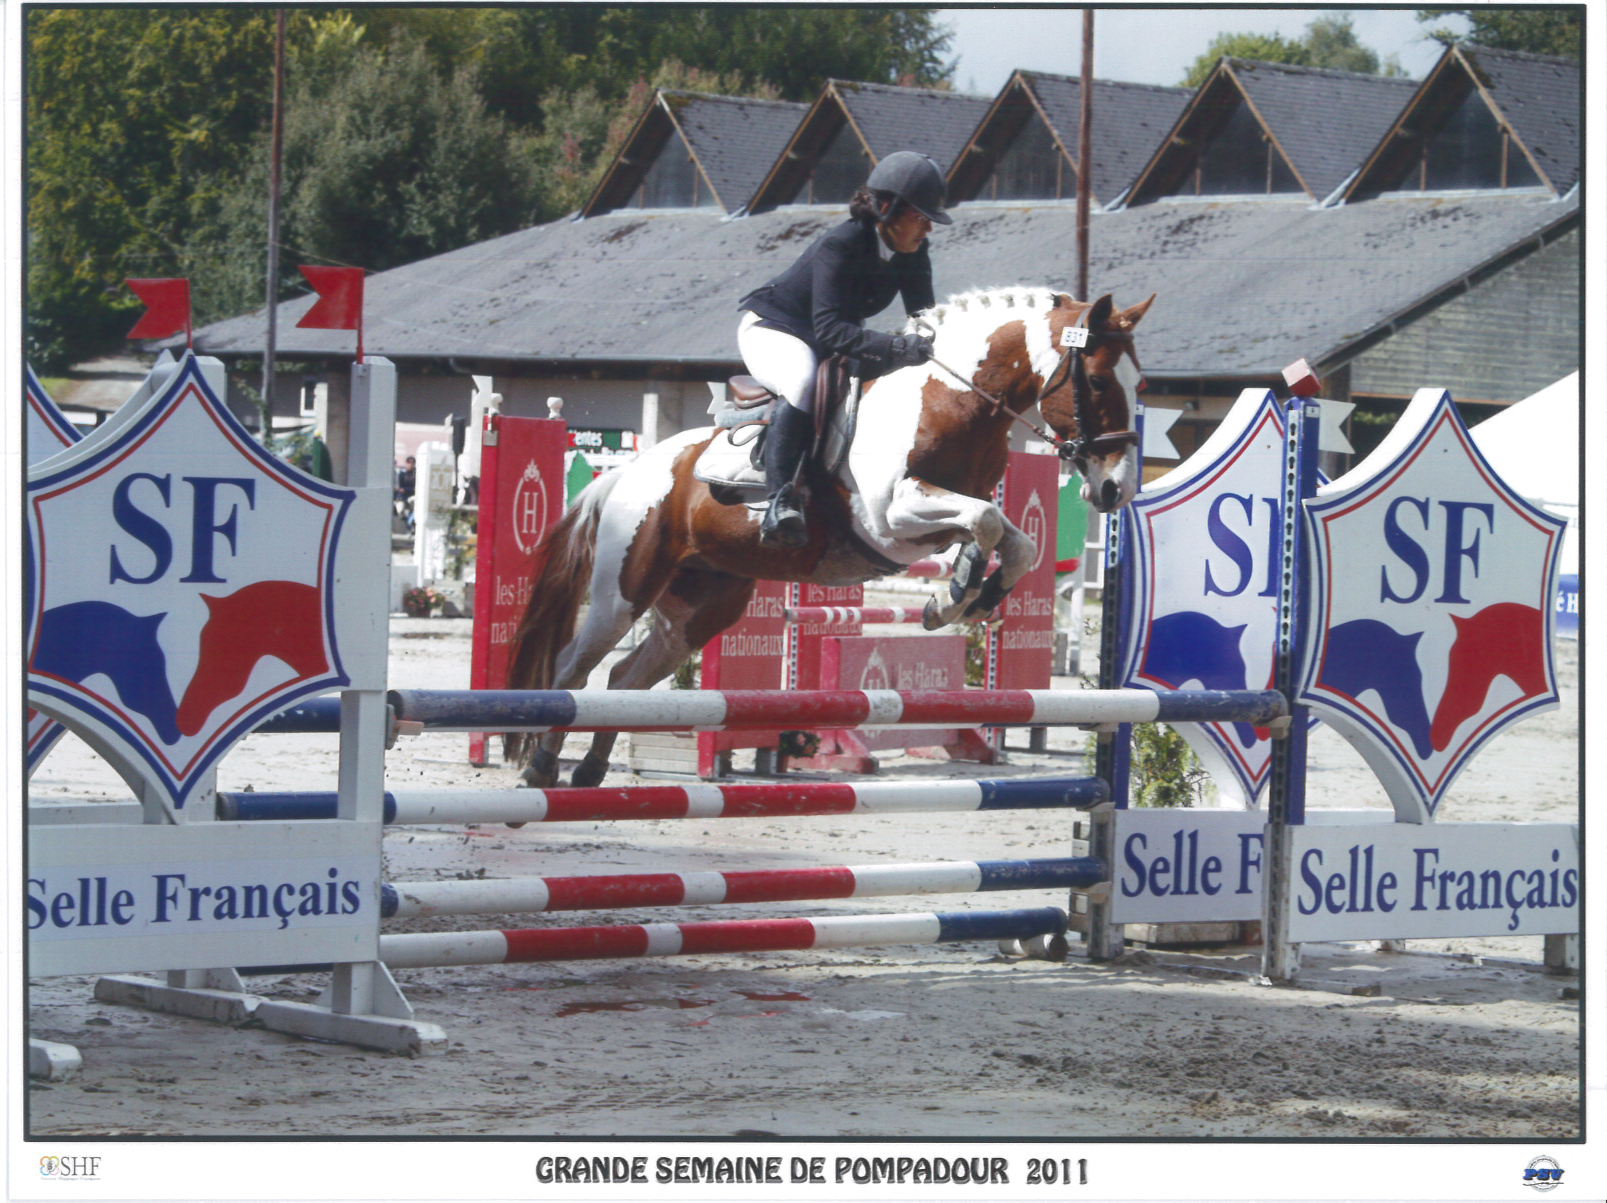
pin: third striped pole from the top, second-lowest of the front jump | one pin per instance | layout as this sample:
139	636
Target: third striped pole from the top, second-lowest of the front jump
531	895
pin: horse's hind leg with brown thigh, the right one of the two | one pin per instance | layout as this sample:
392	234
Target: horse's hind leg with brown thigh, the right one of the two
689	614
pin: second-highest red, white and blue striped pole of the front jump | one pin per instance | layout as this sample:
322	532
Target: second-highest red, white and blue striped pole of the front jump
689	802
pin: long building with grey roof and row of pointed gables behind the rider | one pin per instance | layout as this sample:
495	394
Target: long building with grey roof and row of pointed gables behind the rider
1275	218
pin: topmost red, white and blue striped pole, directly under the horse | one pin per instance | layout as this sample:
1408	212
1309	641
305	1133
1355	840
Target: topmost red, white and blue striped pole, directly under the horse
536	711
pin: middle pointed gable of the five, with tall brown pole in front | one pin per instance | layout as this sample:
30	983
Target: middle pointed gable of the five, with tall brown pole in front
1026	147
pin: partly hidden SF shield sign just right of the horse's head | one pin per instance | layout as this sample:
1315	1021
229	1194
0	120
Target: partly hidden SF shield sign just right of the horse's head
1208	540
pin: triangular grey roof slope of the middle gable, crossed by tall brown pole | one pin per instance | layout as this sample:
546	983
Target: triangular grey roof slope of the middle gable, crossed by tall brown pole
1129	123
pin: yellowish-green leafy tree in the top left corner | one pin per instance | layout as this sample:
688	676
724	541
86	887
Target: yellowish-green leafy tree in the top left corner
128	155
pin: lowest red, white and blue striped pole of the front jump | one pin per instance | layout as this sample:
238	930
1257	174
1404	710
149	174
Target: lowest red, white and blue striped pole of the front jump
738	936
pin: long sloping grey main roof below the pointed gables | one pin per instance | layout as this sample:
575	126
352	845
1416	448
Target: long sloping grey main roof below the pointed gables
1245	288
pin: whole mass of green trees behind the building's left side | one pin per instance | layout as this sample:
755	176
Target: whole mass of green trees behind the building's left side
409	131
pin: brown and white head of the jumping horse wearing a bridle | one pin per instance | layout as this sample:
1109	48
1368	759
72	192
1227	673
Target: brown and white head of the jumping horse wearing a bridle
1089	396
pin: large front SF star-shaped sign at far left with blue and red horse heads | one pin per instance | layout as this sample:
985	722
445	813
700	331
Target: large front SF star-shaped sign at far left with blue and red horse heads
179	585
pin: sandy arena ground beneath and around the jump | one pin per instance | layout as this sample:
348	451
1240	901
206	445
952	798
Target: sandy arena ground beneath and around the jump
1454	1038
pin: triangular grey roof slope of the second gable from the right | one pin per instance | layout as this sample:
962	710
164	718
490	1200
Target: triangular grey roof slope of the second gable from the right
1325	121
